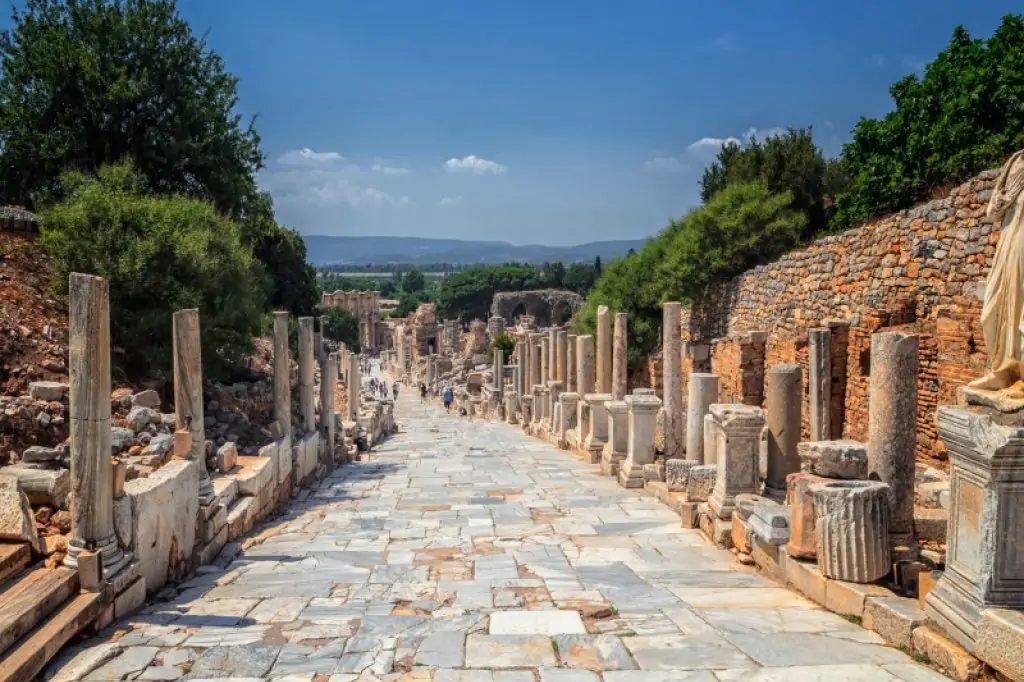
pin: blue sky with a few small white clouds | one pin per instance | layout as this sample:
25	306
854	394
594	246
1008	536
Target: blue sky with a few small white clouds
554	121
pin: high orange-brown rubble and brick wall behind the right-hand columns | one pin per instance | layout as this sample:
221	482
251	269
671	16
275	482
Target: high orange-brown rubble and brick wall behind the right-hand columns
922	270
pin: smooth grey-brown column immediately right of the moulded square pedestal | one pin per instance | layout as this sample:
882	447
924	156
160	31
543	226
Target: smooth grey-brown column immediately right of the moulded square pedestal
785	405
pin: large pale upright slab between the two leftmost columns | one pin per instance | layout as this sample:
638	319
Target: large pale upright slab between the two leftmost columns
164	509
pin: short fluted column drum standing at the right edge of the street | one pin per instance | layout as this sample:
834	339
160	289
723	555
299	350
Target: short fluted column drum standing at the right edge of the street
852	529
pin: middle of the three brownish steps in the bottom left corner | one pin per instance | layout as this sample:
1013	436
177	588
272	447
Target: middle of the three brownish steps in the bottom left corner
34	596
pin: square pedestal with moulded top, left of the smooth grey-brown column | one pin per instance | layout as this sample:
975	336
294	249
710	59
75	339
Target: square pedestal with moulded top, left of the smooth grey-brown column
739	438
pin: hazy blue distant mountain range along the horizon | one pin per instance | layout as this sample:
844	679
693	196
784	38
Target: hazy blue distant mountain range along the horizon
324	250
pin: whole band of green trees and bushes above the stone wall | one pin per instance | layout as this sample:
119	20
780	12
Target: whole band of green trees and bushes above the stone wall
963	116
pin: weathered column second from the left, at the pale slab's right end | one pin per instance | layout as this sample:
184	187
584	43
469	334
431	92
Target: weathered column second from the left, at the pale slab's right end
189	393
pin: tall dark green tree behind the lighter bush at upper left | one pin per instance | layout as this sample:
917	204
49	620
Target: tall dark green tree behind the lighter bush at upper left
91	82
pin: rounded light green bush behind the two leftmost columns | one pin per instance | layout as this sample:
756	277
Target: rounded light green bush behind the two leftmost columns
160	254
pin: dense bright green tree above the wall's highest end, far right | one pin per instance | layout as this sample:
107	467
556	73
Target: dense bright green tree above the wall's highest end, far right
964	116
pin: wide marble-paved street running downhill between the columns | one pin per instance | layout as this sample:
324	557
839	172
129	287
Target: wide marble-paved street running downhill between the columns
468	552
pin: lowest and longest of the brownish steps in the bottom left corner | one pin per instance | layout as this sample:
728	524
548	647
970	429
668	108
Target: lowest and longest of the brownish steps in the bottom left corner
30	656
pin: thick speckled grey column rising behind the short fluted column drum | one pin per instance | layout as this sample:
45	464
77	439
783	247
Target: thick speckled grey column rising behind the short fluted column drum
892	431
